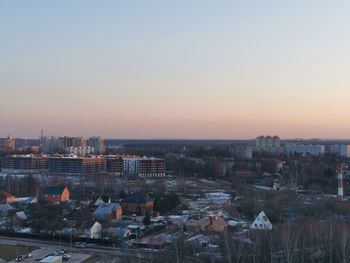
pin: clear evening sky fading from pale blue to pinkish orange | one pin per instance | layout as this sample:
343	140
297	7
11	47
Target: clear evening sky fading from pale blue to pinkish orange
175	69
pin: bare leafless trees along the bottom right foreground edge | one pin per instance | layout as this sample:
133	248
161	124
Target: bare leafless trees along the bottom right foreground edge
312	241
